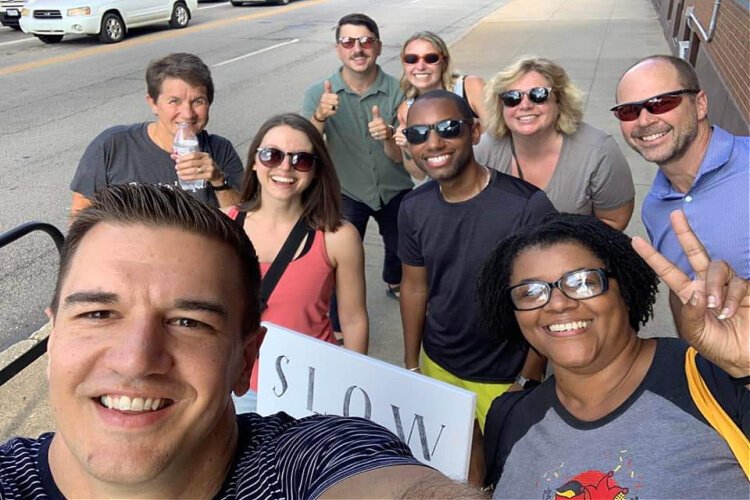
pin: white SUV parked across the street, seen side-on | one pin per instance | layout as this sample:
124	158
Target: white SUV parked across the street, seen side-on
50	20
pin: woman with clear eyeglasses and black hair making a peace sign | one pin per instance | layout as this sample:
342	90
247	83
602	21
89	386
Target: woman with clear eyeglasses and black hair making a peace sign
619	418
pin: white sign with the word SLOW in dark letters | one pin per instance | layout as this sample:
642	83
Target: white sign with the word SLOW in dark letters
304	376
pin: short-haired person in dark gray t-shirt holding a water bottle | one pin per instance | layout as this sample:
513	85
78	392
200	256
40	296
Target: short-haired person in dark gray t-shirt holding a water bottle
180	93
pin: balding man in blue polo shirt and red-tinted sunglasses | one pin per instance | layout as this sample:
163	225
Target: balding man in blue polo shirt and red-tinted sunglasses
703	170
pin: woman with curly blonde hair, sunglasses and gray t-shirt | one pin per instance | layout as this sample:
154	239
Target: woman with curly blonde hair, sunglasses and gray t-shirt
535	132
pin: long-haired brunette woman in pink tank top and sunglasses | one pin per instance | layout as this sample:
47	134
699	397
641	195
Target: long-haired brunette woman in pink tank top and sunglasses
290	176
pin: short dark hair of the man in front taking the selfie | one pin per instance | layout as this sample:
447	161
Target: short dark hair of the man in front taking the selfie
159	207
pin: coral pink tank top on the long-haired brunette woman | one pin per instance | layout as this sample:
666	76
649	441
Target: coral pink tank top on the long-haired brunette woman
302	296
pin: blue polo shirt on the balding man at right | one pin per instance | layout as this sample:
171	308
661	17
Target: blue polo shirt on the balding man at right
717	205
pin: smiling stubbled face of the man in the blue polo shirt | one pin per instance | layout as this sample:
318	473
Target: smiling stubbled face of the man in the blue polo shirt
665	137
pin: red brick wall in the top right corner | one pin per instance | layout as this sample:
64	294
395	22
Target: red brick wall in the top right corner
723	64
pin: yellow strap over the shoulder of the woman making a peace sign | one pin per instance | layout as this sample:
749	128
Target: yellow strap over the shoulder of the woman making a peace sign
715	414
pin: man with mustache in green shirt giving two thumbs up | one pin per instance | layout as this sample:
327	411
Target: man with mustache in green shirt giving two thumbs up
356	110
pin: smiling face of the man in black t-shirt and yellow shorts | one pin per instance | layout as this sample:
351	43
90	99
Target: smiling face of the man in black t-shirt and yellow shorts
442	159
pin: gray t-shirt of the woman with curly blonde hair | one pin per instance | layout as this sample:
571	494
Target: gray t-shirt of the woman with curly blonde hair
591	172
